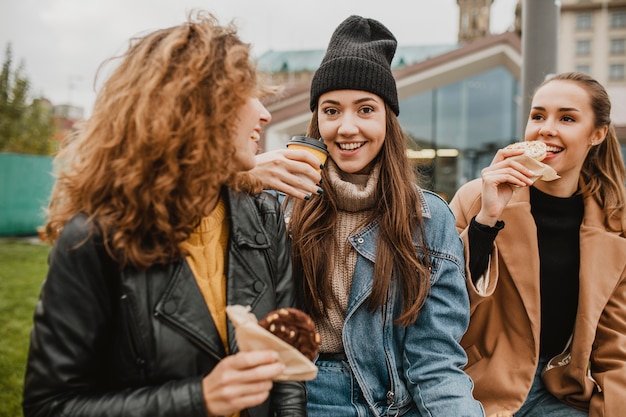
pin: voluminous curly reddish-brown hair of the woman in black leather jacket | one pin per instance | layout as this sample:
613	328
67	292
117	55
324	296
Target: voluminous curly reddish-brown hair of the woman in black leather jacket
157	147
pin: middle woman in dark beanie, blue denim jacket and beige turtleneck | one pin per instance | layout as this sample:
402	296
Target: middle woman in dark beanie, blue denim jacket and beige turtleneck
378	260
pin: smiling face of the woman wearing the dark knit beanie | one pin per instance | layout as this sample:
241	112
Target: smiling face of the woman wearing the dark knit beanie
353	126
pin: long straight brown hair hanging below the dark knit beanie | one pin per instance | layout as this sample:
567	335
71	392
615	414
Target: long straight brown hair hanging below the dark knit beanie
398	213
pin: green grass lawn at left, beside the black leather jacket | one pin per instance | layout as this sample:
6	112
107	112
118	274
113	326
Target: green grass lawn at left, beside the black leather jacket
23	268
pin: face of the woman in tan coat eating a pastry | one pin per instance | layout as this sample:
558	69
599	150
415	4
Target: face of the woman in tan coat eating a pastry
561	116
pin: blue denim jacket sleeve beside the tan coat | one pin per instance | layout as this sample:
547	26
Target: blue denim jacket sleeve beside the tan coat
433	351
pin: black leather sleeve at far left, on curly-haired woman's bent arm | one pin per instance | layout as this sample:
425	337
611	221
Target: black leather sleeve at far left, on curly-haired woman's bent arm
69	355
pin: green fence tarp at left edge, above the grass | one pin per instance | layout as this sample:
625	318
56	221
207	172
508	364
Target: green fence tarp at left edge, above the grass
25	185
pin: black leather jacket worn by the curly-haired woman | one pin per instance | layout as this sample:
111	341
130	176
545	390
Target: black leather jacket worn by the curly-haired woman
137	343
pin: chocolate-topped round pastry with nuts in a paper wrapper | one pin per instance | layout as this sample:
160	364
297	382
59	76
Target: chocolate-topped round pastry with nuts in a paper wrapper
294	327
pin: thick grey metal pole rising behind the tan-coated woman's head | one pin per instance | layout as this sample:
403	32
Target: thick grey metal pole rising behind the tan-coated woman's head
540	32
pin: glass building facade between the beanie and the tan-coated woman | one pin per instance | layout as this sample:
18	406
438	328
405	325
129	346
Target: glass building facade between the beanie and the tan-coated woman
457	129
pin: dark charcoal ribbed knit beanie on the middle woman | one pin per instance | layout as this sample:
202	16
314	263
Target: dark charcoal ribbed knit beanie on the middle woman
358	58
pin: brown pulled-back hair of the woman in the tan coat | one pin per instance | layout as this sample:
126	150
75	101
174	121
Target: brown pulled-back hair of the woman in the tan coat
603	175
